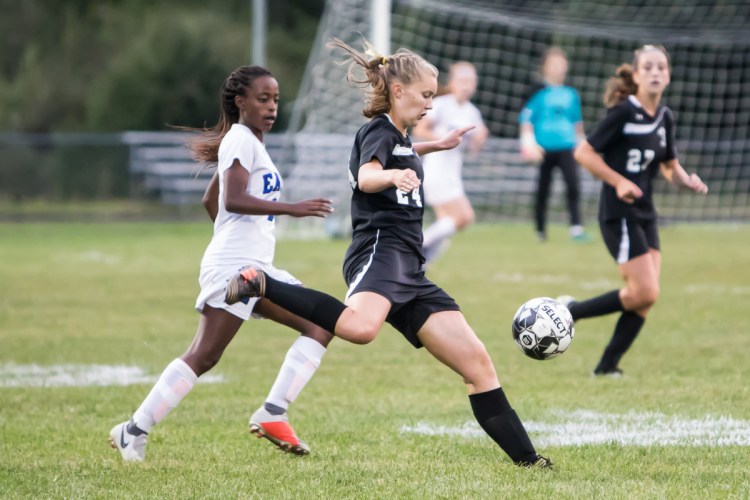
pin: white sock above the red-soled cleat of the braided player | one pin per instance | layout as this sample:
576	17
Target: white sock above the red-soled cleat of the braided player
301	361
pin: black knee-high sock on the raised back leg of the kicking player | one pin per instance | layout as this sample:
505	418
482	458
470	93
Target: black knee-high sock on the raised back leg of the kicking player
317	307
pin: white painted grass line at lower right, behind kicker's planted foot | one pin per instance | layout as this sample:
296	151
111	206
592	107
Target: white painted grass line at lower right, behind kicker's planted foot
586	427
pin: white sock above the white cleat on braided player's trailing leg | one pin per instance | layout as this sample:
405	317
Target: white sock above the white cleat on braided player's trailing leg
174	383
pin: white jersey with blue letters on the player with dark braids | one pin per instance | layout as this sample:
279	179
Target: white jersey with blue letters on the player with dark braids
241	238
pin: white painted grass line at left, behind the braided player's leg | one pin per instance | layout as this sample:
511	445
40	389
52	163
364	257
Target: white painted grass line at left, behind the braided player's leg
13	375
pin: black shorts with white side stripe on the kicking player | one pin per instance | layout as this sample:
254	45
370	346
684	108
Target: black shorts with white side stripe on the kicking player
382	263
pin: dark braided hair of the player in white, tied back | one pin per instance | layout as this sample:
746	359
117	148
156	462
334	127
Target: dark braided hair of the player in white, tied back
205	147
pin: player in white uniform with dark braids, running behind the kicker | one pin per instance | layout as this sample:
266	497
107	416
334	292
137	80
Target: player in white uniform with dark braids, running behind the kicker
242	198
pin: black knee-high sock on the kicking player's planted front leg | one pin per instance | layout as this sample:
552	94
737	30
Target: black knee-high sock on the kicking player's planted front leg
493	412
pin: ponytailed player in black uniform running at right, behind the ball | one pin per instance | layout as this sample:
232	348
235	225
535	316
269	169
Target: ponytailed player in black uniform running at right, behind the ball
628	148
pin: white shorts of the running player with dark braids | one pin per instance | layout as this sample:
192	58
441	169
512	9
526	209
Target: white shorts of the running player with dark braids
213	282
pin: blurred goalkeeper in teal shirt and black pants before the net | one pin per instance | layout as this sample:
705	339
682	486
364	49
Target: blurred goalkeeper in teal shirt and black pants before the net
551	127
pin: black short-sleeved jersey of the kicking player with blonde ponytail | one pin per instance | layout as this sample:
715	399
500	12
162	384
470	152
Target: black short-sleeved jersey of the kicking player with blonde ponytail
391	209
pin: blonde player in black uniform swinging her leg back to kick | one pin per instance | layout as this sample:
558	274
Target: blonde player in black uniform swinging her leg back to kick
383	265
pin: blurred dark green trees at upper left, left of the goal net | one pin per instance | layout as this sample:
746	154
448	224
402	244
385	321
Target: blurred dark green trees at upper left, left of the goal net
110	65
